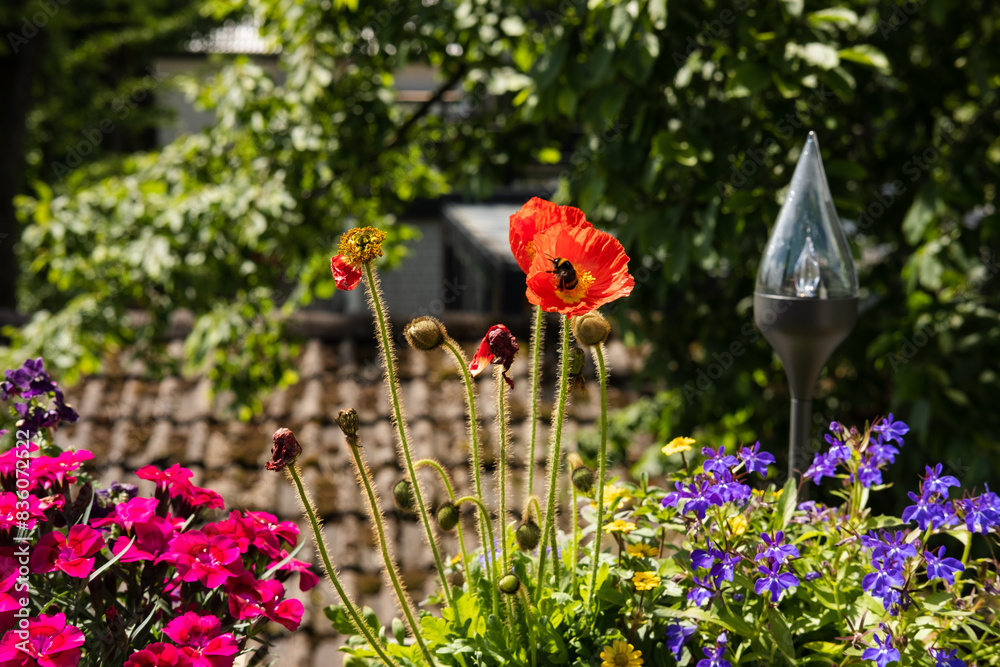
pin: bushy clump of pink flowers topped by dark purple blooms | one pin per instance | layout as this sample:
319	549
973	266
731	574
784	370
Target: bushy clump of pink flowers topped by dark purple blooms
106	576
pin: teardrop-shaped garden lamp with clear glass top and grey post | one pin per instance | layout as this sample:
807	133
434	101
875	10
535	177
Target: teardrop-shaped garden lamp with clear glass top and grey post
806	297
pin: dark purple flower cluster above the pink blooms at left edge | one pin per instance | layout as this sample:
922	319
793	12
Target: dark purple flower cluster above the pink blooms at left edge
34	388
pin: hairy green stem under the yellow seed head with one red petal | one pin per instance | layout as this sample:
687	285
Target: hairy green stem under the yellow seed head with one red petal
392	383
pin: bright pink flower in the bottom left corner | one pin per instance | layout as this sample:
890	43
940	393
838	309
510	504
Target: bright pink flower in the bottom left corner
51	642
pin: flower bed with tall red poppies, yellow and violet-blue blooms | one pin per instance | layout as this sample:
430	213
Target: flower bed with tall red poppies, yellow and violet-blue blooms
714	565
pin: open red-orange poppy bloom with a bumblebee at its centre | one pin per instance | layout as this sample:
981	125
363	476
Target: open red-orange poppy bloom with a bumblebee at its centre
576	270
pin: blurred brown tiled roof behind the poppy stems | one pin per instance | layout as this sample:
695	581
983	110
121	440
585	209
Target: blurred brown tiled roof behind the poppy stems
128	421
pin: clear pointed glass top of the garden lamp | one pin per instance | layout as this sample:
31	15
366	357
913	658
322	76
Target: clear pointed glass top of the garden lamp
807	255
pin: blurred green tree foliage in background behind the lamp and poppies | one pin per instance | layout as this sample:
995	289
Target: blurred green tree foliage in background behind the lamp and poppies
675	125
